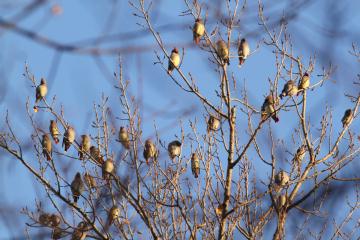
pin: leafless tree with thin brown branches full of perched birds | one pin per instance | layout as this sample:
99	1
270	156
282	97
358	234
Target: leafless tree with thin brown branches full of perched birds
225	174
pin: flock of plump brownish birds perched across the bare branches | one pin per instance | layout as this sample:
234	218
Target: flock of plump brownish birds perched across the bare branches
87	150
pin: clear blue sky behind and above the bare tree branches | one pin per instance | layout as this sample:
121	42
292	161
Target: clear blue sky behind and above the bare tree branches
79	82
